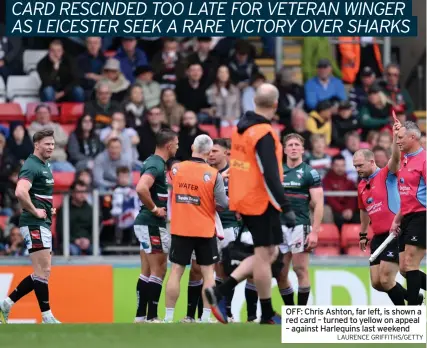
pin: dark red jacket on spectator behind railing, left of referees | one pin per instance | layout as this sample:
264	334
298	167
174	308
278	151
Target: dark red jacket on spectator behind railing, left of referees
334	182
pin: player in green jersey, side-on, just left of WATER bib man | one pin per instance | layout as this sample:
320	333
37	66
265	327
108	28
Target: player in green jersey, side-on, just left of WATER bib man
150	226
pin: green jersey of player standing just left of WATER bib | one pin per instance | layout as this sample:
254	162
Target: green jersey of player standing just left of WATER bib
156	167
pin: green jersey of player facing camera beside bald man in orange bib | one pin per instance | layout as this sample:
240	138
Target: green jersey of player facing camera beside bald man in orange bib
297	183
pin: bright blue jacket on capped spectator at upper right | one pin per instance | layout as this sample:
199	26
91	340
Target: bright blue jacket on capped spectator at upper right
315	92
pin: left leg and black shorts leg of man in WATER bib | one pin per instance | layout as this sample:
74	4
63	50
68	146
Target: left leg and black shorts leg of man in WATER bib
181	250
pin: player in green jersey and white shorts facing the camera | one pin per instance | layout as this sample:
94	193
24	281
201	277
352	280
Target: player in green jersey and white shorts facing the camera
303	187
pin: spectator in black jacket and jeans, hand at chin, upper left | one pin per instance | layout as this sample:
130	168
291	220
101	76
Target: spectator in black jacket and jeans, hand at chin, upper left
59	76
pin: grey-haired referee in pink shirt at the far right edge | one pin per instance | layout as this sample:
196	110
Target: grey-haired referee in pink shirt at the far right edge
412	215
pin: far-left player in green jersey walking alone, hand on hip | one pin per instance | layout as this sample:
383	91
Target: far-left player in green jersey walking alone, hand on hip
34	192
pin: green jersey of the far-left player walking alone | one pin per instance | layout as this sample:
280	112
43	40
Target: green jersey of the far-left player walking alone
39	174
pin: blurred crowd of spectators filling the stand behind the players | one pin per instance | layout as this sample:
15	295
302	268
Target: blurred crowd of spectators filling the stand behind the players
127	94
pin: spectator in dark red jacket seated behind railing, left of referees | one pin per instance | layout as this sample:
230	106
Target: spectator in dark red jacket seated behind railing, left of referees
343	207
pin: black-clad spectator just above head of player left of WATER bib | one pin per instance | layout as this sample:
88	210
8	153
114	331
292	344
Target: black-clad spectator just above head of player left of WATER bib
147	132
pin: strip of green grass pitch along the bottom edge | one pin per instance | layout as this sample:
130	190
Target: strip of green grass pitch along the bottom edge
161	335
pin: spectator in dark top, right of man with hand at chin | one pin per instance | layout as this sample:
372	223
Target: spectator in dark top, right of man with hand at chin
90	64
